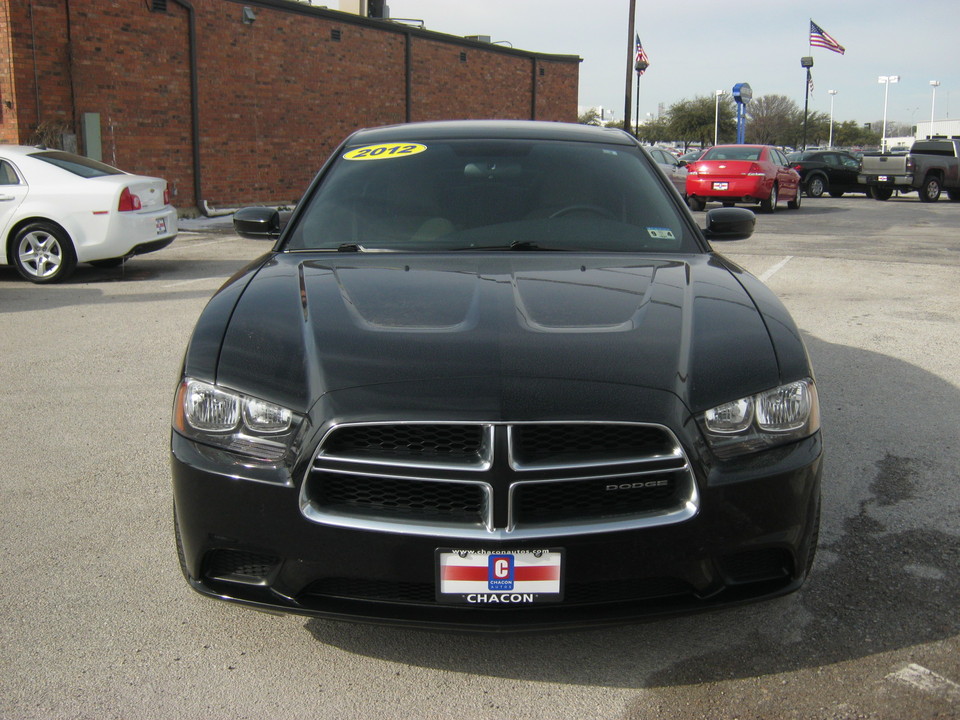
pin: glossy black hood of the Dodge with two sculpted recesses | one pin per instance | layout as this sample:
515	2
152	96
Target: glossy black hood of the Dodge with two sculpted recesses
305	326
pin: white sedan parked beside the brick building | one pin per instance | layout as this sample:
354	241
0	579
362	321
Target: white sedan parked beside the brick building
58	209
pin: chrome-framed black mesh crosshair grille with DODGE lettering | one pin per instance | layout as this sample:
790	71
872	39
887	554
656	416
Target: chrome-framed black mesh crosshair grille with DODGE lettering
478	489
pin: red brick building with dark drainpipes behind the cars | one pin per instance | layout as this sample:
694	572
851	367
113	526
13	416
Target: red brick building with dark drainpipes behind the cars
237	102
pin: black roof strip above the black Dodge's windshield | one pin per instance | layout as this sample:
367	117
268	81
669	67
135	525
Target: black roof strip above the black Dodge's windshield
490	129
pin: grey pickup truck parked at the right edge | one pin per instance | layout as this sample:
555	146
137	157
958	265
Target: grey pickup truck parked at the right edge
931	166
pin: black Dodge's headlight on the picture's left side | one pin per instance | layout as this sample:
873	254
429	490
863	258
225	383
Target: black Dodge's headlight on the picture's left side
239	423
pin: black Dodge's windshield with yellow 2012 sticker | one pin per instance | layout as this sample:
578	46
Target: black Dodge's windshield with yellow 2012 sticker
492	195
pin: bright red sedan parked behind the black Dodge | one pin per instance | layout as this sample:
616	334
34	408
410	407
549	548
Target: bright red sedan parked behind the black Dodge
743	174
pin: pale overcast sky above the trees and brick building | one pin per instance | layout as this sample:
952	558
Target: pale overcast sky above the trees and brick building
698	46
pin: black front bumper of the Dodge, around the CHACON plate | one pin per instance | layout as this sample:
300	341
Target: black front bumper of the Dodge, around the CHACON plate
250	543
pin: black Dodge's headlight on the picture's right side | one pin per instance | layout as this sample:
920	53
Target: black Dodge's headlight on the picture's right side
784	414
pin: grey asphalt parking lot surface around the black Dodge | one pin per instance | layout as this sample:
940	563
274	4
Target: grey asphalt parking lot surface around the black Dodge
96	621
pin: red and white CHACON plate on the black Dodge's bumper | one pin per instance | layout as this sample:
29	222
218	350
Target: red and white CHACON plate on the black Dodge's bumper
499	577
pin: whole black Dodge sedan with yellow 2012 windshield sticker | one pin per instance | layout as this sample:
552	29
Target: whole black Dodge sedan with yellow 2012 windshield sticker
492	376
